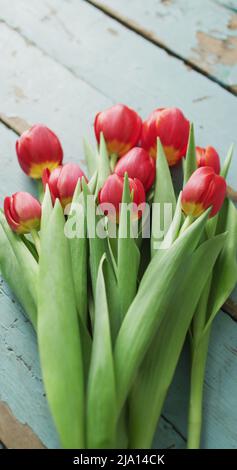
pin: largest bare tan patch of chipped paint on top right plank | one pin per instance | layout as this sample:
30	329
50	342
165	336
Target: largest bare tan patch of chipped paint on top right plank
213	50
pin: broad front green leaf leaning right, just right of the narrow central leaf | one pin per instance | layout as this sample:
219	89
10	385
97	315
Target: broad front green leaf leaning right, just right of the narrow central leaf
150	305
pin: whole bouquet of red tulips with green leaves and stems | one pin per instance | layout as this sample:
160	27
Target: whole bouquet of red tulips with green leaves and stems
115	269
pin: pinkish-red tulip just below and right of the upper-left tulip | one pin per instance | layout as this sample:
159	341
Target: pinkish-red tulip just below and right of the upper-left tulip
62	182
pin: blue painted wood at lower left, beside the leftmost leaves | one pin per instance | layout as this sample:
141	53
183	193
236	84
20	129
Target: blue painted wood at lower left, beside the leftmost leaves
21	386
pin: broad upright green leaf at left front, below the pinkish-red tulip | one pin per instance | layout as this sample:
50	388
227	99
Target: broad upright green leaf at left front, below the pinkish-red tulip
58	333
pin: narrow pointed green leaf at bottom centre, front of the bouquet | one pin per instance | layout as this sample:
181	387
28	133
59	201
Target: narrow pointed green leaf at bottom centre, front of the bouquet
101	396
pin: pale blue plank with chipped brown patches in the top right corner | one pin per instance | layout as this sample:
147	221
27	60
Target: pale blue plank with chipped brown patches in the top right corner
206	41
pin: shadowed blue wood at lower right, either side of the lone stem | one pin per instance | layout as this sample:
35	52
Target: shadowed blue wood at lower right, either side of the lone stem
219	427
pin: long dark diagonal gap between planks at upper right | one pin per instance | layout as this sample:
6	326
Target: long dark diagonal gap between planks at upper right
150	36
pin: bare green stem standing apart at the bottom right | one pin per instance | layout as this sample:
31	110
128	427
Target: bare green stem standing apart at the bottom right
199	359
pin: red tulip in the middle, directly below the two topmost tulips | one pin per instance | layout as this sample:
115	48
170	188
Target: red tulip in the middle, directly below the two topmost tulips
137	164
